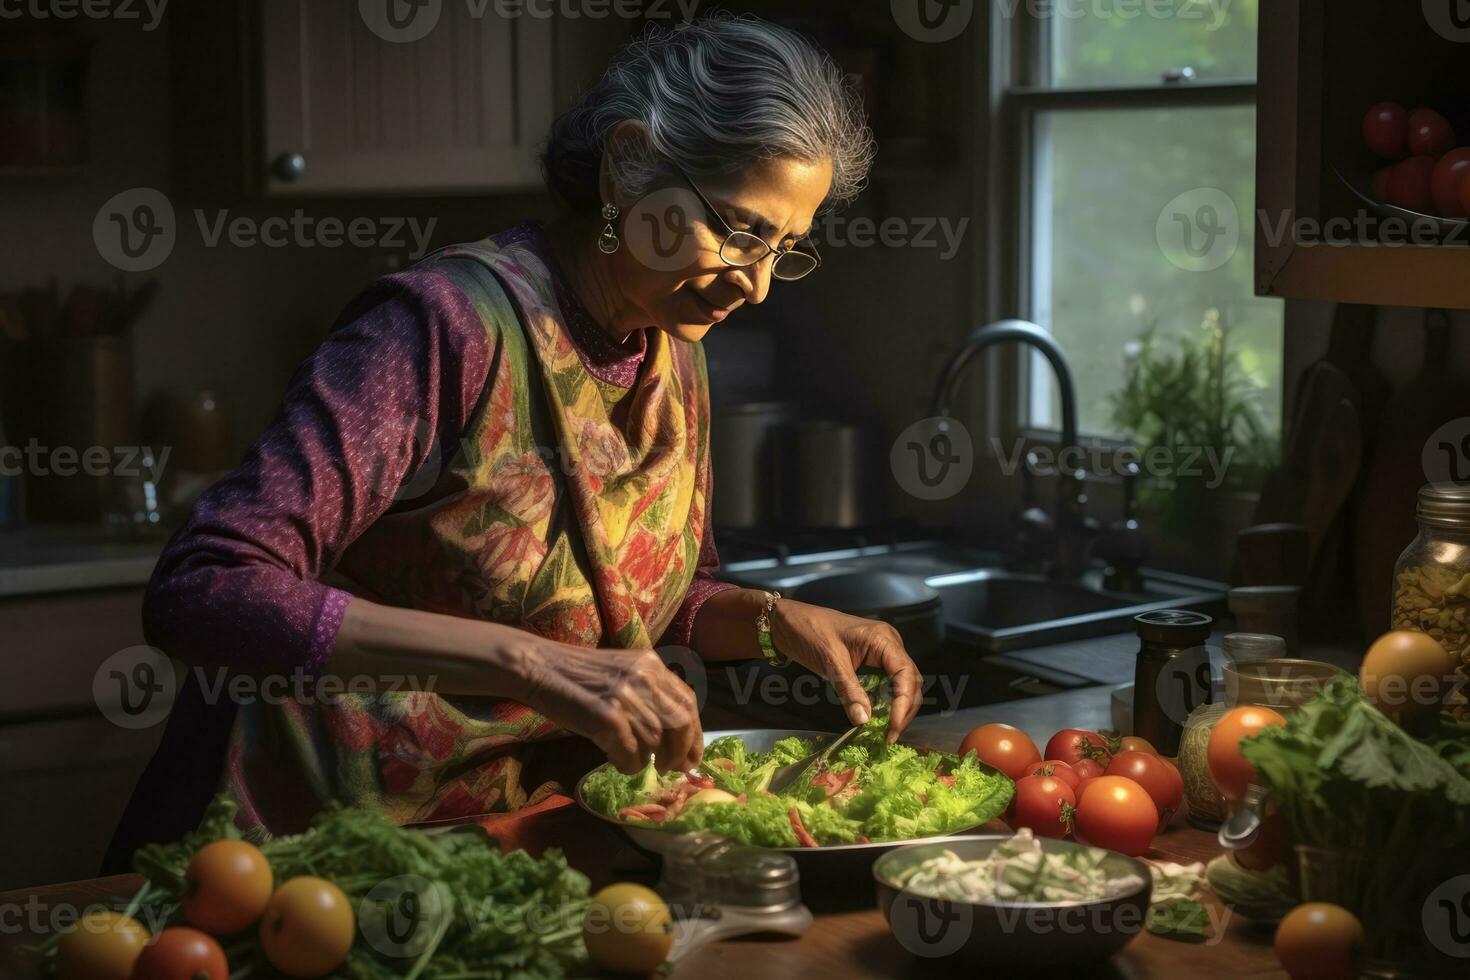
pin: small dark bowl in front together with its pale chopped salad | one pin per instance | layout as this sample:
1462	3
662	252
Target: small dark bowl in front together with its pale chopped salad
1014	900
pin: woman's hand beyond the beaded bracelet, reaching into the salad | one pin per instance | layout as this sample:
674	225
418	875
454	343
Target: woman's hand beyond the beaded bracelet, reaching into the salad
836	646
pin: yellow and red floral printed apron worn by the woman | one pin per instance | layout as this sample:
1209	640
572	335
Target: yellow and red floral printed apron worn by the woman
570	508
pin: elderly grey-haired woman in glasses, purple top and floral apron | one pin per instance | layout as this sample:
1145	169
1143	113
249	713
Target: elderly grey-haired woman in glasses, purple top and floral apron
493	480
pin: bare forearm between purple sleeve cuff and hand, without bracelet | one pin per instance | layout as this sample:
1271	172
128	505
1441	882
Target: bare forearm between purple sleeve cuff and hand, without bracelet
383	647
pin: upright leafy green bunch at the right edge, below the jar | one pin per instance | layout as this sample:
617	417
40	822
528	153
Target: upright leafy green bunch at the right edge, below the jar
1350	779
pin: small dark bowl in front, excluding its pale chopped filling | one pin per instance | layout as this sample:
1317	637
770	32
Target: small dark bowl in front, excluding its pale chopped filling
1039	935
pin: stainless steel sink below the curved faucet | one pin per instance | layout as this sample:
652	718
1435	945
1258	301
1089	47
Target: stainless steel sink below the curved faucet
989	608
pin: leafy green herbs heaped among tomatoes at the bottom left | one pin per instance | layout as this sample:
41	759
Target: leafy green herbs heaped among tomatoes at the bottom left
492	915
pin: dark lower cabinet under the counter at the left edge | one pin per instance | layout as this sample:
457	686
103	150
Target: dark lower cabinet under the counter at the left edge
67	771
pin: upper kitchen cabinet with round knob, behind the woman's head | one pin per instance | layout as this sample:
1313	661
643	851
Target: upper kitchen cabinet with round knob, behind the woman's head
301	98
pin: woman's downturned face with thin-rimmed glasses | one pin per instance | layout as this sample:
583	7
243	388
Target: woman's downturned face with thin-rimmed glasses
670	268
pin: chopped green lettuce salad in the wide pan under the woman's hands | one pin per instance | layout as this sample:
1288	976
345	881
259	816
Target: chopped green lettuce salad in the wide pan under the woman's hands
868	791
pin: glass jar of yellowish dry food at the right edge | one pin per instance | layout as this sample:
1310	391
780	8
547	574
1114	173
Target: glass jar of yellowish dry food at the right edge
1433	577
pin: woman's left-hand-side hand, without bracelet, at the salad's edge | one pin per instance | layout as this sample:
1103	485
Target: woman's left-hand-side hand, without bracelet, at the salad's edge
627	702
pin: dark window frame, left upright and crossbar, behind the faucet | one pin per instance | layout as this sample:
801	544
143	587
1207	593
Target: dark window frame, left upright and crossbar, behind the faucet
1021	98
